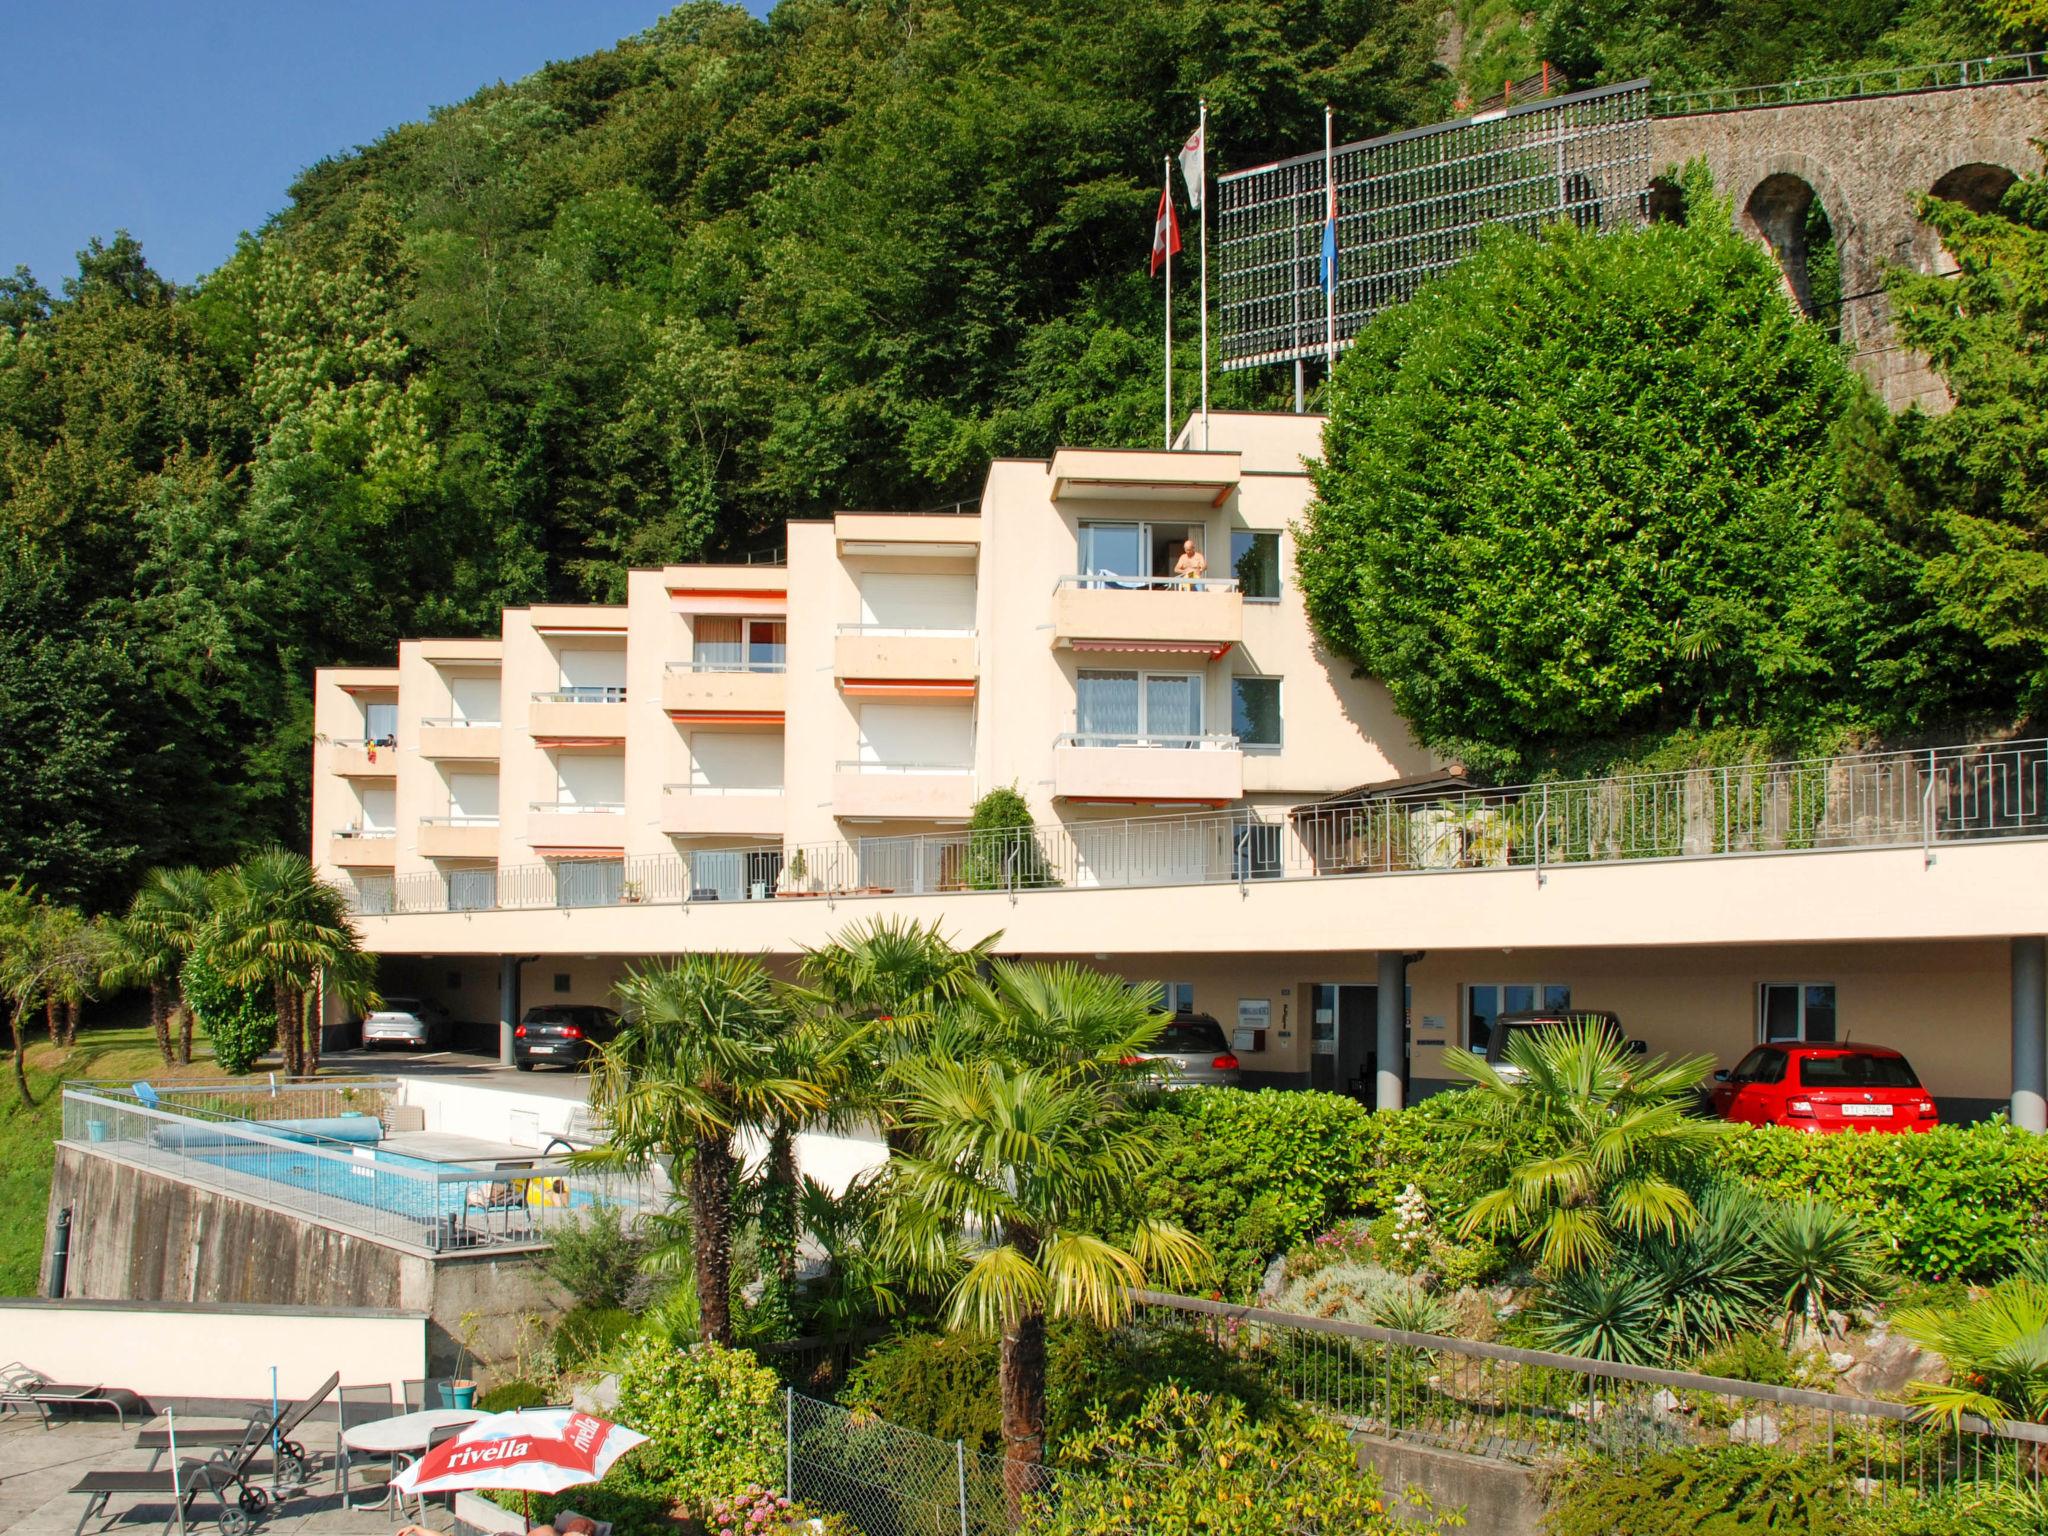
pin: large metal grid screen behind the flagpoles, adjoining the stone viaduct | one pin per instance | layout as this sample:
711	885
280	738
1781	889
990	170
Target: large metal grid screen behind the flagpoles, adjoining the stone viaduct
1412	206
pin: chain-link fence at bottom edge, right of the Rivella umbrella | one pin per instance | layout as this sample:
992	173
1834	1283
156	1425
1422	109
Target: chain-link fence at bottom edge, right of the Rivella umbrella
894	1482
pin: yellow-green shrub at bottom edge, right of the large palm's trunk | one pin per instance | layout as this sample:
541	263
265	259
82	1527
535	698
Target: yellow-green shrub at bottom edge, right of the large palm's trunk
1191	1463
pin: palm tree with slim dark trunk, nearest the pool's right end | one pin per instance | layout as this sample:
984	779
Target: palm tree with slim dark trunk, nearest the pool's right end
695	1064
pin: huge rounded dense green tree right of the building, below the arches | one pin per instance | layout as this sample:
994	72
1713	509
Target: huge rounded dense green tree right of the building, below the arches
1584	486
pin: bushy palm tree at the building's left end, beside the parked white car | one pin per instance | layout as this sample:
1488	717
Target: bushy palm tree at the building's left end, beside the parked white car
278	925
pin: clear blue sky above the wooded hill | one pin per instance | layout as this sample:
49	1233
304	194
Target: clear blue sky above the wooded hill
185	120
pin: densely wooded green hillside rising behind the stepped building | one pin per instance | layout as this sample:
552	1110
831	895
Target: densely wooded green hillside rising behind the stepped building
642	308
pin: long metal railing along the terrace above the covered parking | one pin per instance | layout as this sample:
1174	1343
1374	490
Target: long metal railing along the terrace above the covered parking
1883	800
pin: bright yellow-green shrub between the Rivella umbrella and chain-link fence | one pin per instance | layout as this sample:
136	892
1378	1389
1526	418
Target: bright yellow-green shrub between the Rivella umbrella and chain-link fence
712	1418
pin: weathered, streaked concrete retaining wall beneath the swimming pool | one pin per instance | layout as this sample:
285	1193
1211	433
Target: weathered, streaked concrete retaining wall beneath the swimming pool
138	1236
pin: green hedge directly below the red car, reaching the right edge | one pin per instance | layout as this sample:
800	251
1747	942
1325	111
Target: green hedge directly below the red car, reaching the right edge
1961	1203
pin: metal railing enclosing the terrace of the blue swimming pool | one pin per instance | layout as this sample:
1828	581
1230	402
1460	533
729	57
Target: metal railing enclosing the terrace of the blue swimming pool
296	1146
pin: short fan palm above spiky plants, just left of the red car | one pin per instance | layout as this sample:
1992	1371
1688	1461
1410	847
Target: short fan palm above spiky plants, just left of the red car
1580	1142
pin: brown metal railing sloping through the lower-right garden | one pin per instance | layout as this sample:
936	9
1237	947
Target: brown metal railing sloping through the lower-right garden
1541	1410
